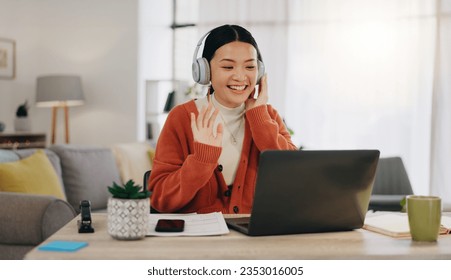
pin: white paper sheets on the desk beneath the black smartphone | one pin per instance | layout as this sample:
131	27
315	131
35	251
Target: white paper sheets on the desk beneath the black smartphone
195	224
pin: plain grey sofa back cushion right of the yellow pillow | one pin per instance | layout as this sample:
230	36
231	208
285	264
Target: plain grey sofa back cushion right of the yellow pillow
87	172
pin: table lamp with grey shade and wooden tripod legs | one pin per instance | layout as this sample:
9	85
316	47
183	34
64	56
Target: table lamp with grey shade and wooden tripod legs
59	91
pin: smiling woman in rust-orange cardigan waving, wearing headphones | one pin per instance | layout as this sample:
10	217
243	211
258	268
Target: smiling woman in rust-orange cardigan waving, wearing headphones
207	154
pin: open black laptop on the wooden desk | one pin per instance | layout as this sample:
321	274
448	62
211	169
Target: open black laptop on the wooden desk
310	192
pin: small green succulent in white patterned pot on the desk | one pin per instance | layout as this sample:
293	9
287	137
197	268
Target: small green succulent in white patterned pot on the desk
128	211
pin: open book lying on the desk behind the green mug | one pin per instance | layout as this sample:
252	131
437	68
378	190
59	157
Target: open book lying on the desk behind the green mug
397	224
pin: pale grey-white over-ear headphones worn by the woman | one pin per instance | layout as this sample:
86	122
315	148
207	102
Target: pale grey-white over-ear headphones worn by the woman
201	68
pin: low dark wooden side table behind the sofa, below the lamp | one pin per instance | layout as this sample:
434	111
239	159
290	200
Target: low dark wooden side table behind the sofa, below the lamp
22	140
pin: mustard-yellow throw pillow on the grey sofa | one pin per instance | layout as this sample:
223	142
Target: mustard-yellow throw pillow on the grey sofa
34	175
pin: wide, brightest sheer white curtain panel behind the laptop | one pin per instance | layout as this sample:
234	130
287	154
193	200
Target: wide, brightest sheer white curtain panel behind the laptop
361	76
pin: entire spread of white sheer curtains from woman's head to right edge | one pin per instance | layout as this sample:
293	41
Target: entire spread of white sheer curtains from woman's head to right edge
349	74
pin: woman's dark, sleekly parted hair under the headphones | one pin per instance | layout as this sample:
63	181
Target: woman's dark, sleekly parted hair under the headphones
225	34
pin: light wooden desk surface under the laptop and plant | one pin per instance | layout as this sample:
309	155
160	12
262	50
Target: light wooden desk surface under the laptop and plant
357	244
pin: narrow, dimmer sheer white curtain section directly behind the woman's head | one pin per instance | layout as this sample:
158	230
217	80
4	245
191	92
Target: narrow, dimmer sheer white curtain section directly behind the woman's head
267	21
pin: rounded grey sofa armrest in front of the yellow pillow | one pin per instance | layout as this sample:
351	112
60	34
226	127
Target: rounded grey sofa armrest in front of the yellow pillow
30	219
